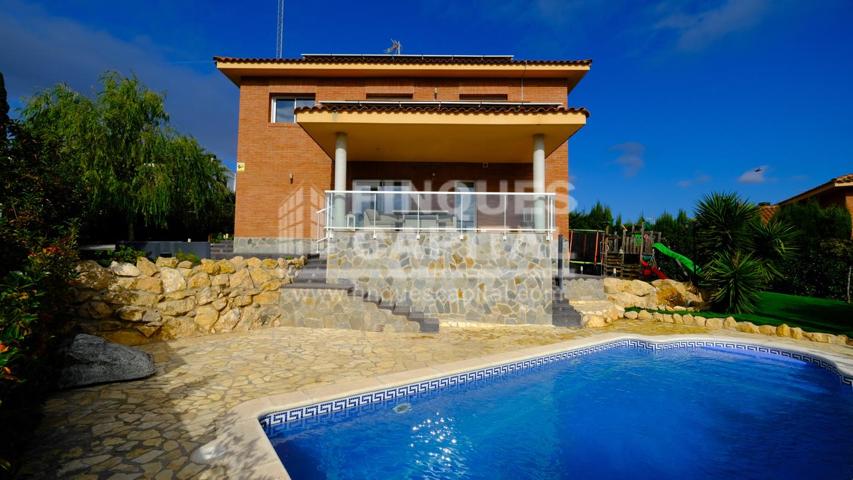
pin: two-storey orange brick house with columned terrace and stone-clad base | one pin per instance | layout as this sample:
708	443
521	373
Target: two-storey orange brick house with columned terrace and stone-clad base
437	180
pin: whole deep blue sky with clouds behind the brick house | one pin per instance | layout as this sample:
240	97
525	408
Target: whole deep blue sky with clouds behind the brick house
686	97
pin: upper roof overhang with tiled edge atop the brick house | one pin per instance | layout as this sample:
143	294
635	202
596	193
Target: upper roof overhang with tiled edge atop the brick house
237	69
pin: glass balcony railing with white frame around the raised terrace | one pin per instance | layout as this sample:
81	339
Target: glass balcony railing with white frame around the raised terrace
439	211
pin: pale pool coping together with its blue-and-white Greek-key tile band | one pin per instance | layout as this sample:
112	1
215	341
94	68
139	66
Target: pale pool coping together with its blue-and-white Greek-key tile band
244	447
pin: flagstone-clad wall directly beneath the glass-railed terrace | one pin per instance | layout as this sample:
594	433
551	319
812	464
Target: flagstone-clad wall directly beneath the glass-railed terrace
480	277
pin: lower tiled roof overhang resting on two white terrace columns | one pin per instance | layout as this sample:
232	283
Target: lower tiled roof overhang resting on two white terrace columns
504	137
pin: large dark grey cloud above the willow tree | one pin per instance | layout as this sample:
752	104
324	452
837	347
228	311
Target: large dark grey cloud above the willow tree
41	50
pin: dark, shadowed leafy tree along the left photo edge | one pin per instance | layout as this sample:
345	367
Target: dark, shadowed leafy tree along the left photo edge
39	207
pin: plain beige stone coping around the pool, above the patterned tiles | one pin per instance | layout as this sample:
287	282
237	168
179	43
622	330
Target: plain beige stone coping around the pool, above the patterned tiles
242	444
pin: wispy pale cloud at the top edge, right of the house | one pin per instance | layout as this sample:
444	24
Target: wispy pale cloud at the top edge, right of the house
697	30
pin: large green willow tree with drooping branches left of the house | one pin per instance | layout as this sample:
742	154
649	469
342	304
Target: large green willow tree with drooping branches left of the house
134	167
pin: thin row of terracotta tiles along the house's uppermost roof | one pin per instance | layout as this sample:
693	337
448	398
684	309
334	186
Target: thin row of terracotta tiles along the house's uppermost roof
405	60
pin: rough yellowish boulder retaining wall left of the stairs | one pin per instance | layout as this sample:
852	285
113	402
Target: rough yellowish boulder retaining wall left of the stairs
134	304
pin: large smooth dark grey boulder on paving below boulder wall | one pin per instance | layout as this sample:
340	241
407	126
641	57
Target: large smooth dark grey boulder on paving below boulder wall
89	360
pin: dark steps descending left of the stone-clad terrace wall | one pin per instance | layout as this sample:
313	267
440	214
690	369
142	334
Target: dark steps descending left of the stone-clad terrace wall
313	276
